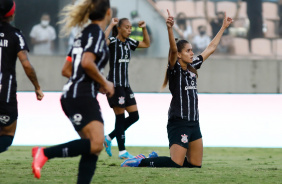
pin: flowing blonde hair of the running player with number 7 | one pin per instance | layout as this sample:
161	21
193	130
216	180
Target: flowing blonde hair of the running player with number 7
76	15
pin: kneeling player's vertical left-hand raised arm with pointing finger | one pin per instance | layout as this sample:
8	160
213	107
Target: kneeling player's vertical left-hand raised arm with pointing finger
172	44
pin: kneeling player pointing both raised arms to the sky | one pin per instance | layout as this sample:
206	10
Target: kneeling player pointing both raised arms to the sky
185	138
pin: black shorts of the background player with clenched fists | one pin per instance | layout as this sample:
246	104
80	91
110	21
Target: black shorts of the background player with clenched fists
123	97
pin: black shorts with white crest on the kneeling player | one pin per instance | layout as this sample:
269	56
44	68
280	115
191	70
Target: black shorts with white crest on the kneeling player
181	132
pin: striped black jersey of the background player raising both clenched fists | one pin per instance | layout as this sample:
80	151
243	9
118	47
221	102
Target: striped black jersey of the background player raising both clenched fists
120	54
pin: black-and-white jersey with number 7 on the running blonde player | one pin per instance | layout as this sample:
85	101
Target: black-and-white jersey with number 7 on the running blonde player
91	39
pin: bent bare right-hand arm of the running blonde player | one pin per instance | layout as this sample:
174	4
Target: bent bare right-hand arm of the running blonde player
93	72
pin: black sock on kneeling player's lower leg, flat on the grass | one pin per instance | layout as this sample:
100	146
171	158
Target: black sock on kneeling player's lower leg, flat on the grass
158	162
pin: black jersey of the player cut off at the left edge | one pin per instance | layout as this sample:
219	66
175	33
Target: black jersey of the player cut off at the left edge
11	43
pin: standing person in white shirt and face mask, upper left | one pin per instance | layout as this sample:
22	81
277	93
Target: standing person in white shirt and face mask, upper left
42	37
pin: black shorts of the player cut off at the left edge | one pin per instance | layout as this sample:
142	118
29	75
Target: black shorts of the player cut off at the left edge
8	113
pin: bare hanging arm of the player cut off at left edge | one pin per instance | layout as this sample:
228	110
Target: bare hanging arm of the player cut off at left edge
30	72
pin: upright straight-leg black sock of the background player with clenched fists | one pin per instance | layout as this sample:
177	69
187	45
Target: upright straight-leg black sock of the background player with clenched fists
119	128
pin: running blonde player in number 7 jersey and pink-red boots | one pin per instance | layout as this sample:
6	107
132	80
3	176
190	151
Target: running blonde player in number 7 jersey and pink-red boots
88	56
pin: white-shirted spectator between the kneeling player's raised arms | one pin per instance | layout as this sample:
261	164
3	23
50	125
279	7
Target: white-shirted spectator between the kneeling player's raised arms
202	40
